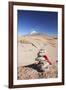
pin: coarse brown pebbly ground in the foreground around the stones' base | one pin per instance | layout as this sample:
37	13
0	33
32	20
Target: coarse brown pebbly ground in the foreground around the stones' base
31	72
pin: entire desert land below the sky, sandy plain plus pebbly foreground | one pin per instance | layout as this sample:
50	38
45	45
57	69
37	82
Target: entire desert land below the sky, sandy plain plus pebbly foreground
28	48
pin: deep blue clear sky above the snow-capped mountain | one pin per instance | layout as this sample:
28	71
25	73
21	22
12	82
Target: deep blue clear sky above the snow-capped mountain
39	21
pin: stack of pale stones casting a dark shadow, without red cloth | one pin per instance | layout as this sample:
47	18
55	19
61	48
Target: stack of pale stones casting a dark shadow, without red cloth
42	62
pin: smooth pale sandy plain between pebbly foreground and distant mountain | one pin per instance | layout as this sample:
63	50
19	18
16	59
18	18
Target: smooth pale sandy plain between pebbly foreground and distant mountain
28	49
